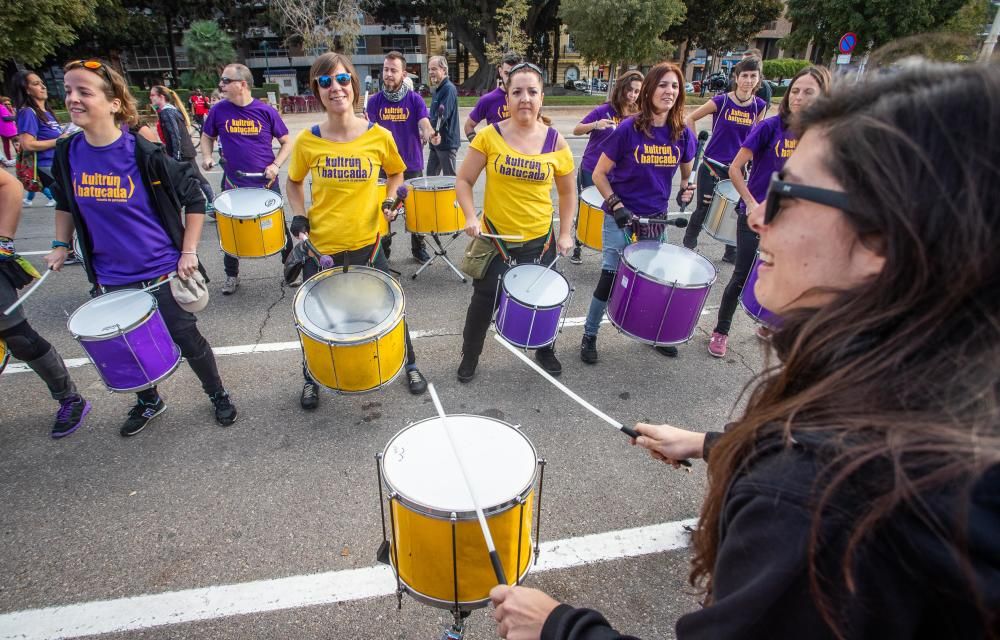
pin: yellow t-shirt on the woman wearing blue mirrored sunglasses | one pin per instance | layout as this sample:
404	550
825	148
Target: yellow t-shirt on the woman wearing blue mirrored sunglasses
344	175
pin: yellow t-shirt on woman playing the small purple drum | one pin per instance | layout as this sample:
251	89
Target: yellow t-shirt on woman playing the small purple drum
519	186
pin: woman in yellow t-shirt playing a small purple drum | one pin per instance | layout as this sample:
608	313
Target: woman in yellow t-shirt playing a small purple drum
521	156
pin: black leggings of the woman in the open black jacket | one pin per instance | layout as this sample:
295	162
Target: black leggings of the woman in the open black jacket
183	328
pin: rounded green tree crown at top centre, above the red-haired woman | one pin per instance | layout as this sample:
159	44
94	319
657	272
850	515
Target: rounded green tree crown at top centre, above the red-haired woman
621	31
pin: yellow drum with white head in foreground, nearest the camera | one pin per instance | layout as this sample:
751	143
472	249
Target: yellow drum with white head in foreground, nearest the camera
432	518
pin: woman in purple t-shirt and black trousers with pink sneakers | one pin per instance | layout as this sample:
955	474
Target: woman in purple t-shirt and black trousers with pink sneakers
768	145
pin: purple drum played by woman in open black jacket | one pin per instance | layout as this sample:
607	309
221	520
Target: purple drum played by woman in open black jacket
124	335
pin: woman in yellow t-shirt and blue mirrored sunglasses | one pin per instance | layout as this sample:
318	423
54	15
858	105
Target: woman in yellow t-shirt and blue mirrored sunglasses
342	156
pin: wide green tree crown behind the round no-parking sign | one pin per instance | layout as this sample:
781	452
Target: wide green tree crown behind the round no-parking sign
877	22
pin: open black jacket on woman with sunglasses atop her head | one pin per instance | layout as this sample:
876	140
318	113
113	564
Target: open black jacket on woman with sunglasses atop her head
172	188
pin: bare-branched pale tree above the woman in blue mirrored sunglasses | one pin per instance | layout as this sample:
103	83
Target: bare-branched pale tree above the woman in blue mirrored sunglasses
321	24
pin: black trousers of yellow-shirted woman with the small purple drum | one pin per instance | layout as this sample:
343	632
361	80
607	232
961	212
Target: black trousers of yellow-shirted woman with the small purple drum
484	292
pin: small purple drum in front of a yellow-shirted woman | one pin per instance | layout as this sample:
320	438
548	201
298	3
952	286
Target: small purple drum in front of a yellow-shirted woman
532	300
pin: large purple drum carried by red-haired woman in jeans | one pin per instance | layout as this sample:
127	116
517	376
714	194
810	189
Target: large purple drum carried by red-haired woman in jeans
659	292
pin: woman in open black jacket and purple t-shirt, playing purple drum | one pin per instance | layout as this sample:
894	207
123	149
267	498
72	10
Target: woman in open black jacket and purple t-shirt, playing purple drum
131	237
